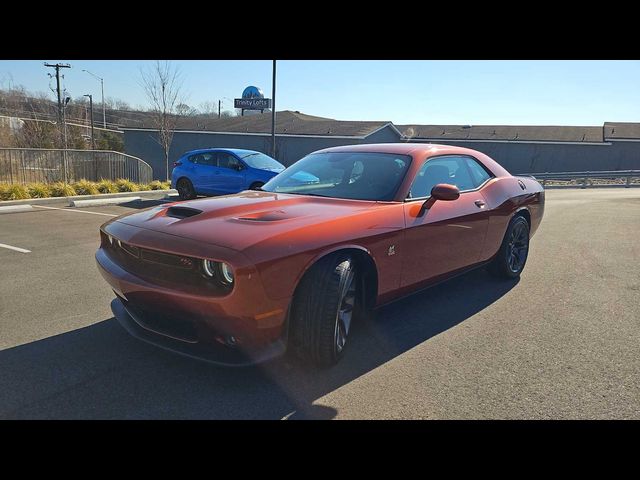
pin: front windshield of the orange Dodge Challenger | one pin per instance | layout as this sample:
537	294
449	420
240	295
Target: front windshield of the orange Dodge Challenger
358	176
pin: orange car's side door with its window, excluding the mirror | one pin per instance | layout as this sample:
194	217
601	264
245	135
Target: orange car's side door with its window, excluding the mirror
450	235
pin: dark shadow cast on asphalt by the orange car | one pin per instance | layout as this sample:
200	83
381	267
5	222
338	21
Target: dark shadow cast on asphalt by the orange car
100	372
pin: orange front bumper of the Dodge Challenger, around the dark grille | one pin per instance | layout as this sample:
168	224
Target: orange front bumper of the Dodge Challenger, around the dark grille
191	320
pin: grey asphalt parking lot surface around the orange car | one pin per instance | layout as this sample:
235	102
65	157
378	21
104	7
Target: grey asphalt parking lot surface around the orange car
562	342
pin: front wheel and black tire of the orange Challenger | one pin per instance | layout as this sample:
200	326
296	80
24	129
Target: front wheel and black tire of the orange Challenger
323	310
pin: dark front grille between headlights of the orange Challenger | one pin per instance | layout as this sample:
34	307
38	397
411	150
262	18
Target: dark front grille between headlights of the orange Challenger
174	271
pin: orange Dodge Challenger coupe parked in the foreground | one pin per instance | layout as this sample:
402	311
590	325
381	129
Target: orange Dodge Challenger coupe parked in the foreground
242	278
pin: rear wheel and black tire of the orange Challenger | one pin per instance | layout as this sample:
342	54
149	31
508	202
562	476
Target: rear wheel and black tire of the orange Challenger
512	256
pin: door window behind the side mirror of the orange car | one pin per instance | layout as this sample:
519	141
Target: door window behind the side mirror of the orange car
450	169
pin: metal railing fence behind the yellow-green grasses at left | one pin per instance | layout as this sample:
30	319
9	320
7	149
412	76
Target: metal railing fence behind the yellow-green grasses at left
24	165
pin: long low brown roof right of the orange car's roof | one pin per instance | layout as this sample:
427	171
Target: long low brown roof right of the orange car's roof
503	132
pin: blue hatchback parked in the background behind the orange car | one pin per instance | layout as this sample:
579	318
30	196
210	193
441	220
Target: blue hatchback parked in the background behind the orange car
216	171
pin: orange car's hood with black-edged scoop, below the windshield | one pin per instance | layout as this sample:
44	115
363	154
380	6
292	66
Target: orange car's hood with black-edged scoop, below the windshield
244	219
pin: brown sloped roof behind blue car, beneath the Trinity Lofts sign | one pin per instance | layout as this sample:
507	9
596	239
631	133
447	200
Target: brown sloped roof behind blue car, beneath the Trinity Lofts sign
287	122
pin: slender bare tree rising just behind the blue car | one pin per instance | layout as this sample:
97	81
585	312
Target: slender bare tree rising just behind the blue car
163	86
